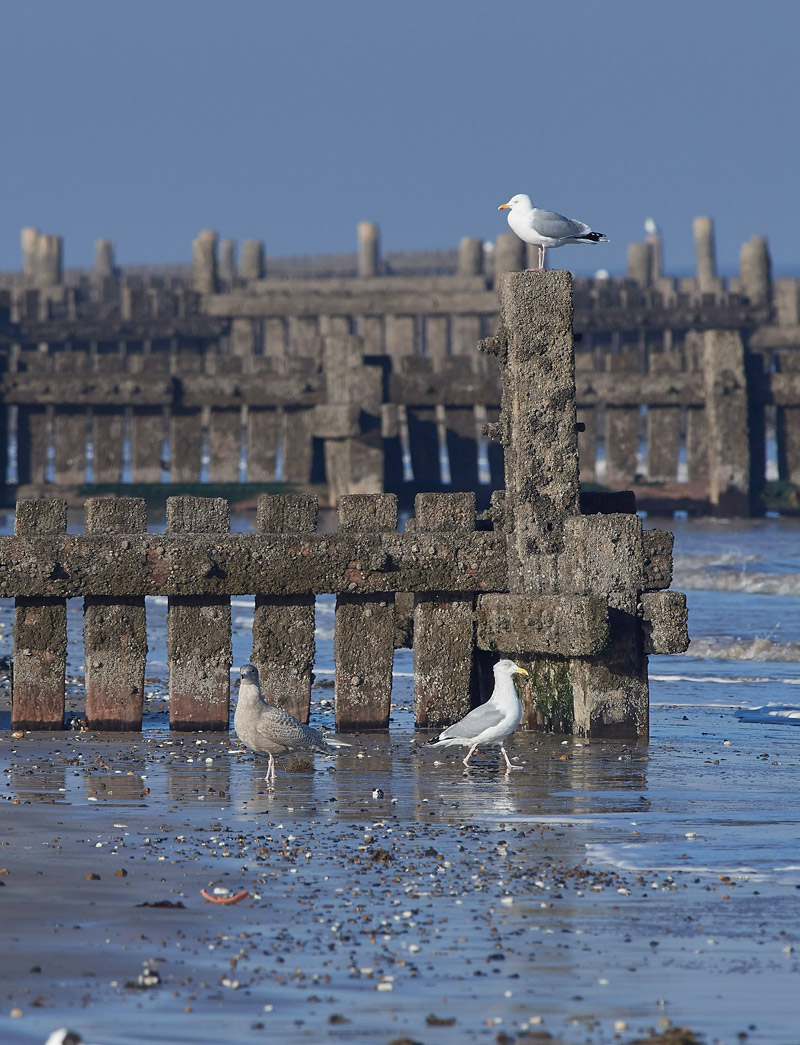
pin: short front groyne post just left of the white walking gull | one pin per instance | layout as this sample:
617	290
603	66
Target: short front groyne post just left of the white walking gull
443	623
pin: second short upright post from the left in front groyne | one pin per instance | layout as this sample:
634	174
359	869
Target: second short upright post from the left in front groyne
115	631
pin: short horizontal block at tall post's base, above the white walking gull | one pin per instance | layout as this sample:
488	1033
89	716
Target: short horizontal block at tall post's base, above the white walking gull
556	624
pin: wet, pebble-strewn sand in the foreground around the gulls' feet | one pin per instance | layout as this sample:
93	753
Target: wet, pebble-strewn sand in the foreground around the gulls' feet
603	893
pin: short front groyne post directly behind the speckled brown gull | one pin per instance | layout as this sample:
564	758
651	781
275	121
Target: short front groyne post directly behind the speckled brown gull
284	626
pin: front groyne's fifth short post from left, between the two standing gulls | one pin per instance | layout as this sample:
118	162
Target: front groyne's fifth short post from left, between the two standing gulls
364	642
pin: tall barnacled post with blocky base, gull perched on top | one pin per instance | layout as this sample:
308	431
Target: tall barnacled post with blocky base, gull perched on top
577	612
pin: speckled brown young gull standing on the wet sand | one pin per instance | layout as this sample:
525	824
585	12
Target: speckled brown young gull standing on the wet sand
272	731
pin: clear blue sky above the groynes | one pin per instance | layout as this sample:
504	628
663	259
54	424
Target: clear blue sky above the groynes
148	122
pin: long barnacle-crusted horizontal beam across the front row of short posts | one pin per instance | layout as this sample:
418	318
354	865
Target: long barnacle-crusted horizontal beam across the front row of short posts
79	565
